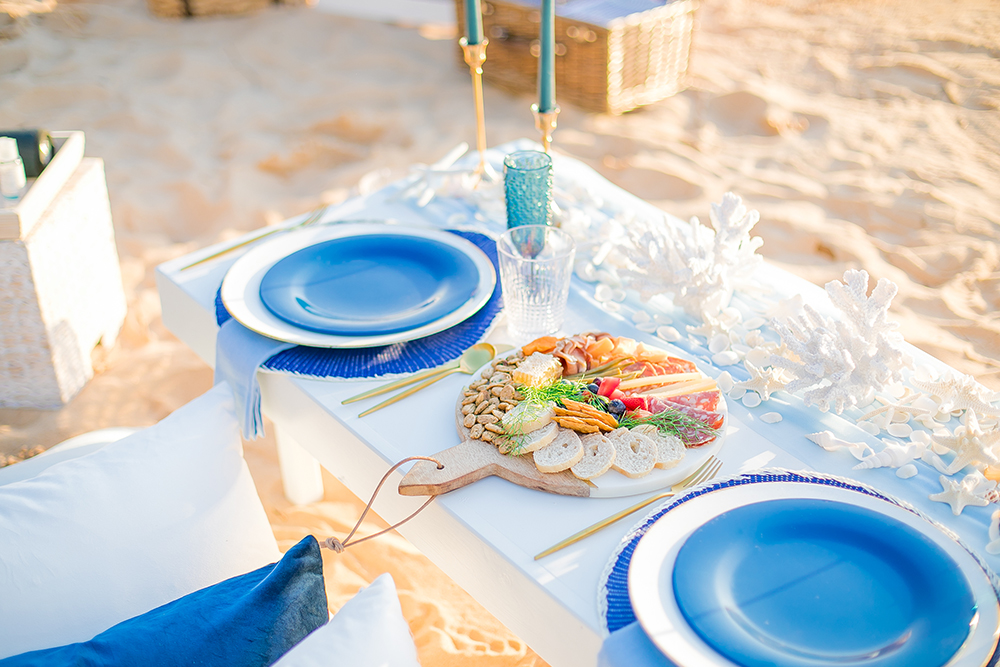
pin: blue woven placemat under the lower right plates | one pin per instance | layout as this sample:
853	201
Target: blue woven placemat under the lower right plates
614	601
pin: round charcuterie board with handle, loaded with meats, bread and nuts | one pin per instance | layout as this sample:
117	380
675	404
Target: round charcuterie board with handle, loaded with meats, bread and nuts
587	415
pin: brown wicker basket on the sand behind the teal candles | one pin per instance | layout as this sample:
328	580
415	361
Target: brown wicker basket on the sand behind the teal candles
611	55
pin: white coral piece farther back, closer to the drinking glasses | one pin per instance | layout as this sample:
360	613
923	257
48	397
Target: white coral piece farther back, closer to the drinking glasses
702	267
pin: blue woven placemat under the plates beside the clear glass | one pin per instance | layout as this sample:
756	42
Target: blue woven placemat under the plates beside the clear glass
406	357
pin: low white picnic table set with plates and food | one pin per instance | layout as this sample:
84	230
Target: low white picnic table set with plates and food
485	535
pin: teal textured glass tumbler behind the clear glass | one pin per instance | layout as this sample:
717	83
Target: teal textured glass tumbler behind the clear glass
527	179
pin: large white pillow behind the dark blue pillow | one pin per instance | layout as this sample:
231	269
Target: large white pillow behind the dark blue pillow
95	540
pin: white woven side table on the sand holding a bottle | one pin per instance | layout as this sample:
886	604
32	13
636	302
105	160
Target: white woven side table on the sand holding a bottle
60	291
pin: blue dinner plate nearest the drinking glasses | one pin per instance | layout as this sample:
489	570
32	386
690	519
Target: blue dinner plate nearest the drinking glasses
369	285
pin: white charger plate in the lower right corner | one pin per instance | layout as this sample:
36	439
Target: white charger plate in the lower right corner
650	573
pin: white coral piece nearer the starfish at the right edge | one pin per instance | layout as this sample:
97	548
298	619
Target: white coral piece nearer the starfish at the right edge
842	362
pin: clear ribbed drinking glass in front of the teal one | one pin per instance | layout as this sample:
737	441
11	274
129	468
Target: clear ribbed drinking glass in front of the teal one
536	264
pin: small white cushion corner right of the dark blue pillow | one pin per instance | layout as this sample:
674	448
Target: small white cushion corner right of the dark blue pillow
368	631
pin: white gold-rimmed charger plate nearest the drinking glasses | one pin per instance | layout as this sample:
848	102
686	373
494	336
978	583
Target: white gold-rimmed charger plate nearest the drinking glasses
241	286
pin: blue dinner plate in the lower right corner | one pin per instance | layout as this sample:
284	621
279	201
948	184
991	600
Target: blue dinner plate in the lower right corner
809	583
